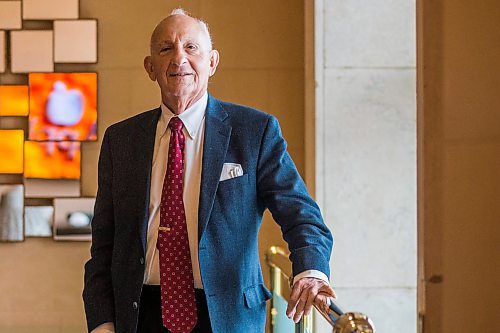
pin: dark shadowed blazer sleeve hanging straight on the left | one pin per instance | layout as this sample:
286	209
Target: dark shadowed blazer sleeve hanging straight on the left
98	290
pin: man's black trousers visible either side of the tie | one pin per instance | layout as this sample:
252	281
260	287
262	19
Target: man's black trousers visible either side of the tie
150	312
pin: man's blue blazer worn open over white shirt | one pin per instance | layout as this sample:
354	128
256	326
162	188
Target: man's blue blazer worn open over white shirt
230	214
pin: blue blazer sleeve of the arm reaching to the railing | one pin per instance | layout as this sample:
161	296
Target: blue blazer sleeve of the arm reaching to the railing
284	193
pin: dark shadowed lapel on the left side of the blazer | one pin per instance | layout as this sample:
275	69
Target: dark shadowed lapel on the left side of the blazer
145	146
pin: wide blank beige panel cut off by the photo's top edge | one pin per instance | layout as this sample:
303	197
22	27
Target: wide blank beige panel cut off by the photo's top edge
50	9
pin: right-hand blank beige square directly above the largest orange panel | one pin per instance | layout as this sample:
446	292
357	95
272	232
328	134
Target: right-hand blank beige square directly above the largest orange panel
75	41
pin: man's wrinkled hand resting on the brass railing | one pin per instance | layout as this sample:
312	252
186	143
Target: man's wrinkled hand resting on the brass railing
304	293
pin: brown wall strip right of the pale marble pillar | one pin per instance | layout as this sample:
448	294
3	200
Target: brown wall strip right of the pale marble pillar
459	137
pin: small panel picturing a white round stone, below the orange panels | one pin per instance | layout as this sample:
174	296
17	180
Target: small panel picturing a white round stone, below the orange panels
72	218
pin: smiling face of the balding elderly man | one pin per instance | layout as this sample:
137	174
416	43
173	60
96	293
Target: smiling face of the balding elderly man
181	61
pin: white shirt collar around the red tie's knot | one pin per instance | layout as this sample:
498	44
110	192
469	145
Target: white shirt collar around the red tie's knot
192	117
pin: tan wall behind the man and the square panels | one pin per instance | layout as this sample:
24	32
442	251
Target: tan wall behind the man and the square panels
262	65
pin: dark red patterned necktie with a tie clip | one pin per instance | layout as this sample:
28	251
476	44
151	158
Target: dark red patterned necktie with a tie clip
176	271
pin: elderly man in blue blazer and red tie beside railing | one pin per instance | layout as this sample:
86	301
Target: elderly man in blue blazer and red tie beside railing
182	190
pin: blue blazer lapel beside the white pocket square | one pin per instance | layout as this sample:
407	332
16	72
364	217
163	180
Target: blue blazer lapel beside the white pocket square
217	135
